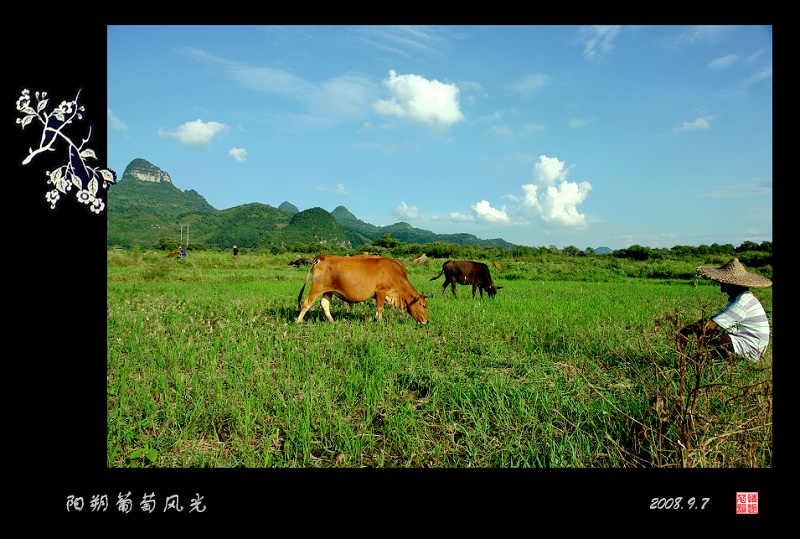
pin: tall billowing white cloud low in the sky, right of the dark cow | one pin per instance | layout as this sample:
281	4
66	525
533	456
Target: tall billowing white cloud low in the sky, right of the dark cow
551	197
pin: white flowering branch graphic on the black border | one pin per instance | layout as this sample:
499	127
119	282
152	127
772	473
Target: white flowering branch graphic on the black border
76	173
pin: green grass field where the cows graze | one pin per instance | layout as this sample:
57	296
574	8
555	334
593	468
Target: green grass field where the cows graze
572	365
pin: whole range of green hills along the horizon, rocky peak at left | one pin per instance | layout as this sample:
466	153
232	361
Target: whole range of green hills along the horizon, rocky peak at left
144	206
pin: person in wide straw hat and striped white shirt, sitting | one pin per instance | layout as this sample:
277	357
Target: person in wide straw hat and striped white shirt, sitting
742	327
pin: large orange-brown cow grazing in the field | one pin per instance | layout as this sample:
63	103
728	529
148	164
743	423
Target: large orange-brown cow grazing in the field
356	279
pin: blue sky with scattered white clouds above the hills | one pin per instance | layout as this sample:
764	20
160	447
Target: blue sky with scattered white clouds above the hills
586	136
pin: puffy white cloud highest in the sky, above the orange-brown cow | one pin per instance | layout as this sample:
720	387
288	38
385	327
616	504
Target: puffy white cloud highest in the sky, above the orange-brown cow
420	100
